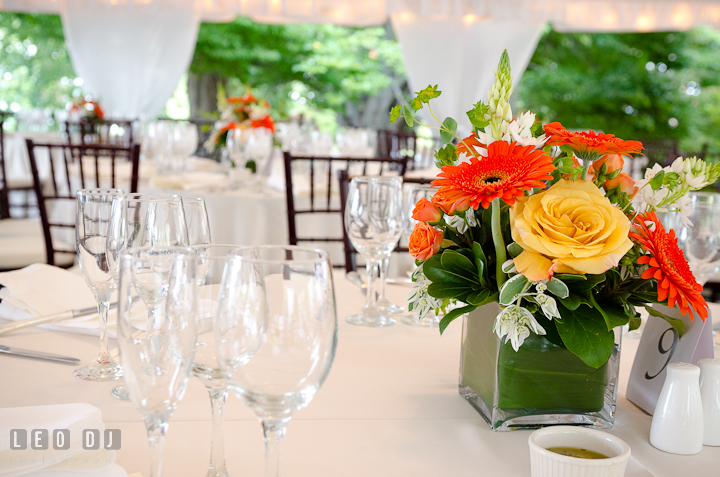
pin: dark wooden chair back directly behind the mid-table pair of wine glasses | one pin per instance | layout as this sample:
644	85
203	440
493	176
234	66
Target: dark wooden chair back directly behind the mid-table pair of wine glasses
325	200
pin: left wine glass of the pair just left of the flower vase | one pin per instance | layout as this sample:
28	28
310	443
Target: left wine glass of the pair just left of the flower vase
374	223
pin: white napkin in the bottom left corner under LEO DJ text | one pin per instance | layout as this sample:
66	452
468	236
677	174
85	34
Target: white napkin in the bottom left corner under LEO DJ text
52	462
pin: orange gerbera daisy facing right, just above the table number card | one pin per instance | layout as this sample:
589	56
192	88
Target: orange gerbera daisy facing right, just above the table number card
668	266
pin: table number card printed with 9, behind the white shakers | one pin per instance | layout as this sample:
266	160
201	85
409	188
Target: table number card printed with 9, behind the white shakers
659	346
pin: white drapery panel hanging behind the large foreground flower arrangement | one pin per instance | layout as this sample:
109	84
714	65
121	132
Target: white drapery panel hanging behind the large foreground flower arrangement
460	57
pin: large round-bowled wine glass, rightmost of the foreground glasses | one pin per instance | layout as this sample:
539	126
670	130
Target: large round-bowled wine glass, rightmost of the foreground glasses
276	333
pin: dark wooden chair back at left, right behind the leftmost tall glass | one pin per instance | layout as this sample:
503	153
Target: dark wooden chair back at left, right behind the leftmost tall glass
70	168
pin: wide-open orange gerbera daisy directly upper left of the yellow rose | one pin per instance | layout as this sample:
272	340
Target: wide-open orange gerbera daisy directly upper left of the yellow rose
506	172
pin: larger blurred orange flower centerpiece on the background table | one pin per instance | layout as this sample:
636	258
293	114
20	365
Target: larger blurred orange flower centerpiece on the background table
240	112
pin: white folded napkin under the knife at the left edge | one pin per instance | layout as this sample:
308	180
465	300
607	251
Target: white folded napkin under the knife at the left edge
41	289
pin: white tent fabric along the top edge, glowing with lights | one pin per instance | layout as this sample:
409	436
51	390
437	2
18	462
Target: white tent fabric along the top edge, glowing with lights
565	15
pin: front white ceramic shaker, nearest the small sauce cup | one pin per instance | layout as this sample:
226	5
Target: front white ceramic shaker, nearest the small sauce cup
677	425
